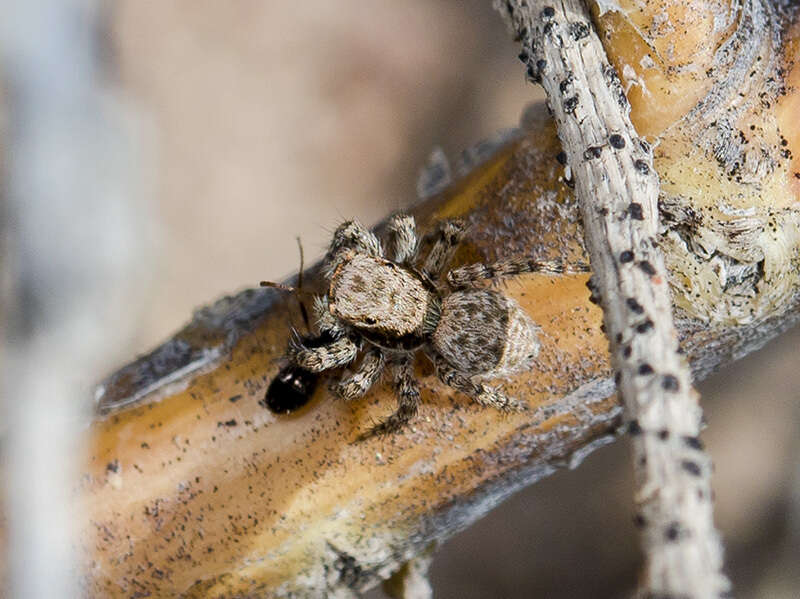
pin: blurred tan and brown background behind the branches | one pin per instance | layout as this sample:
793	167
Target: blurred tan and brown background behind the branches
237	126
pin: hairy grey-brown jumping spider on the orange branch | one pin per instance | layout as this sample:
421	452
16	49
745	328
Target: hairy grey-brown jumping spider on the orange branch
392	307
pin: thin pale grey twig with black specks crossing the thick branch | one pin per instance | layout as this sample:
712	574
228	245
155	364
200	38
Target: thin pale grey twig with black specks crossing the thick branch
618	190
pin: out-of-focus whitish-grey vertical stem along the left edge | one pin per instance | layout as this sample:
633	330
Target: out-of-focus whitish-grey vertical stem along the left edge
73	250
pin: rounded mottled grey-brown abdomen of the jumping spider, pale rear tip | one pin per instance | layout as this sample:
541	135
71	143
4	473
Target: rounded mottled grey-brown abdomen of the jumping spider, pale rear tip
483	332
